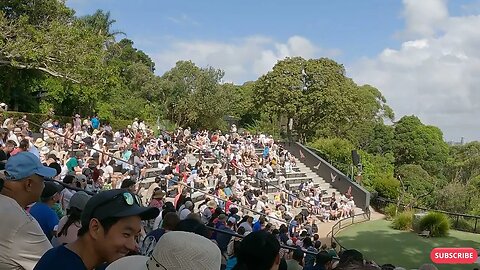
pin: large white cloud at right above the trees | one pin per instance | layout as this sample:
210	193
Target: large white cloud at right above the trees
435	74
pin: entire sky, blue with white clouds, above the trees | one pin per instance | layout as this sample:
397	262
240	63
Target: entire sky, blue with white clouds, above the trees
422	54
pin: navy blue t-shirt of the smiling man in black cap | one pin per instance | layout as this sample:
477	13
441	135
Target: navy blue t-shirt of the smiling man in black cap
60	258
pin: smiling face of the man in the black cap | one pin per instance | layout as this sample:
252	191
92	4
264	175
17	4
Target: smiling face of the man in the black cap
119	240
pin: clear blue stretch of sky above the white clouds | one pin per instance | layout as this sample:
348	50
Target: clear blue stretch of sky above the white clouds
356	28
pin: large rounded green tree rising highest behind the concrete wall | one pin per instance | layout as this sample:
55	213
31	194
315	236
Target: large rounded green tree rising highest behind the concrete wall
320	99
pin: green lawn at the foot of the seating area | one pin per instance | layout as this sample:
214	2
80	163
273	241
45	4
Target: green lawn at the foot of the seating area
382	244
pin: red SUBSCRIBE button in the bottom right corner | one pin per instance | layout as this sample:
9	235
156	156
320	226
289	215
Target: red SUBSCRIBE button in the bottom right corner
453	255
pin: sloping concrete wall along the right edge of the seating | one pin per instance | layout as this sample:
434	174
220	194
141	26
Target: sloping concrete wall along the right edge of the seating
329	173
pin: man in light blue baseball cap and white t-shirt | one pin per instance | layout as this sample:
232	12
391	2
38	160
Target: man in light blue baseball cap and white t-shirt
22	241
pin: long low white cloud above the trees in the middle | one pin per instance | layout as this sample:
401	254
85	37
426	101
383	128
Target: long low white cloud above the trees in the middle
242	60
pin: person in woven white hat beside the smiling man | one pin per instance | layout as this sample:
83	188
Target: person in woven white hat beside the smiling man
175	250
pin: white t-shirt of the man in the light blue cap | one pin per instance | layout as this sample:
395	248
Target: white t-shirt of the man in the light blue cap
22	241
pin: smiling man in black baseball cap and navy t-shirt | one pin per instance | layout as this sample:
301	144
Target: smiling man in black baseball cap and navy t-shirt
111	221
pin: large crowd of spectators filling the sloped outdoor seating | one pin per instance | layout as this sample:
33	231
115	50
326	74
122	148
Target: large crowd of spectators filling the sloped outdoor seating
82	196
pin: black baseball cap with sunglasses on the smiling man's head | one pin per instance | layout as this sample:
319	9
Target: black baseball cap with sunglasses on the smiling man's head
116	203
